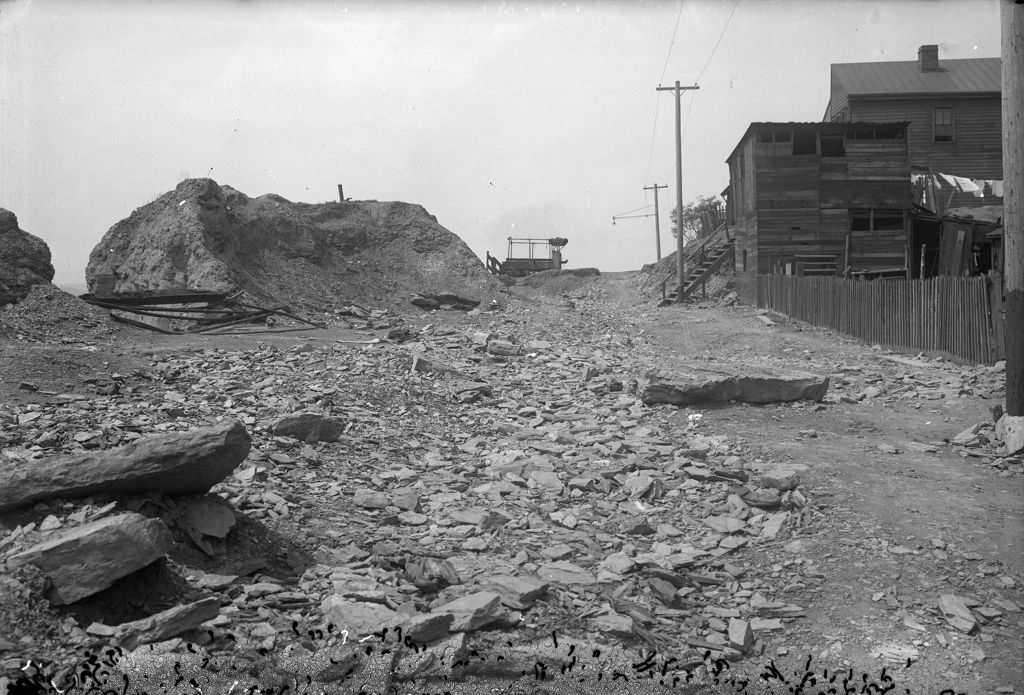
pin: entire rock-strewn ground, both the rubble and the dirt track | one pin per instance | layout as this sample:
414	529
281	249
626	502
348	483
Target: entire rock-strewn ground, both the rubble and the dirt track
497	485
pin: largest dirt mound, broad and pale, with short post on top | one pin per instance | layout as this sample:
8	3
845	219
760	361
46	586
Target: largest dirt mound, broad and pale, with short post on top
206	237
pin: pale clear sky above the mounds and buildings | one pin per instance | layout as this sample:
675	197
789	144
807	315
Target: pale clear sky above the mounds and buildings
524	119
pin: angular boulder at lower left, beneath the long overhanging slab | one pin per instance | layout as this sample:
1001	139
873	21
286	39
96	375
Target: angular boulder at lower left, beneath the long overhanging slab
88	559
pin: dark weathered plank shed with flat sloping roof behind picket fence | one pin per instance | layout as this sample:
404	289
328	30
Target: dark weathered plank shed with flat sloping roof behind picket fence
820	199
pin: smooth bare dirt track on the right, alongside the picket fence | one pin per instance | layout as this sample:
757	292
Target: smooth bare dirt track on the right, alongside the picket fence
899	526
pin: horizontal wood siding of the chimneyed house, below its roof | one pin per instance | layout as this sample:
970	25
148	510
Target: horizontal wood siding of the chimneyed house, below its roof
977	148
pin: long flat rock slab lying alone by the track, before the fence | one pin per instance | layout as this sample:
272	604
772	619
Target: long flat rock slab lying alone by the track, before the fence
696	384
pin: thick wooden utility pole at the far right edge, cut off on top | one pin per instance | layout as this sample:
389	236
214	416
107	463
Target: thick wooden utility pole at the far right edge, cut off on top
1012	21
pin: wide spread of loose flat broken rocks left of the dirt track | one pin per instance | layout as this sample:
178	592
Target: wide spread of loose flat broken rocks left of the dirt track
466	481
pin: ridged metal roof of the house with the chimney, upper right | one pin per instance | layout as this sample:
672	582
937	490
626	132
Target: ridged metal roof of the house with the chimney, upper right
960	76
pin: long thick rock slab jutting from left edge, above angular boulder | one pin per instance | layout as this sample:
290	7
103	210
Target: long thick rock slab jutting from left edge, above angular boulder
180	463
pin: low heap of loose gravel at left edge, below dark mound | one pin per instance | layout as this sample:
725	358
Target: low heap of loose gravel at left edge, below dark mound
49	315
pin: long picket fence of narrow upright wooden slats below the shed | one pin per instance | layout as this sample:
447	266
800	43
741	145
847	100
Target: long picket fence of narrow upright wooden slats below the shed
961	317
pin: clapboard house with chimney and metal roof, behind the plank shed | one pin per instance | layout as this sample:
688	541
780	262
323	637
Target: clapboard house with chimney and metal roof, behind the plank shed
954	108
